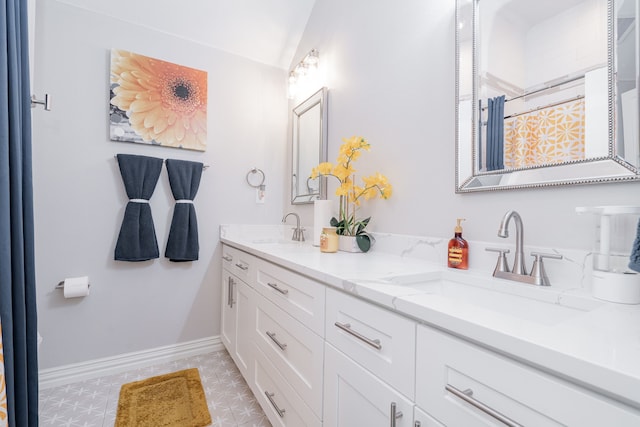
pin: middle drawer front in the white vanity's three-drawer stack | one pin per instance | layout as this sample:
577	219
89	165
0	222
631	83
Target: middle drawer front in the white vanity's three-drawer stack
293	349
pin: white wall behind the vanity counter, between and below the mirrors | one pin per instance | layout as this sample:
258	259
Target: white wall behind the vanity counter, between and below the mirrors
391	78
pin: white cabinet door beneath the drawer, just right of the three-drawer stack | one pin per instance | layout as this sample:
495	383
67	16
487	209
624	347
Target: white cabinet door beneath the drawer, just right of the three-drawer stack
354	397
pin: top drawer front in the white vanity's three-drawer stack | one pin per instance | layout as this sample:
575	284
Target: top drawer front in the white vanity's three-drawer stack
297	295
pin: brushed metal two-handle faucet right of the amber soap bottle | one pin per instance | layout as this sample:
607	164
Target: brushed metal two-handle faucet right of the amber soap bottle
538	275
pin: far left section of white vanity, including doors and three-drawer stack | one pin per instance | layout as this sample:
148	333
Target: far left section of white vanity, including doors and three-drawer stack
279	344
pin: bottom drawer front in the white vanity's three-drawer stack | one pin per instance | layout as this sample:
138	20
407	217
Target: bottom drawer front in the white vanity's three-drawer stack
279	401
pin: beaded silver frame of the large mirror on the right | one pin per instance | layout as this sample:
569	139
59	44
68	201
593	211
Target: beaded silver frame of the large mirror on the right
610	168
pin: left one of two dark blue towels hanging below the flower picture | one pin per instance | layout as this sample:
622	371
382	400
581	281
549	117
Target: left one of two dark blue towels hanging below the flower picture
137	238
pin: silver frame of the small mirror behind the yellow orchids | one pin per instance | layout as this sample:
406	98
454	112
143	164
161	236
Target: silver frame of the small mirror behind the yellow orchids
318	98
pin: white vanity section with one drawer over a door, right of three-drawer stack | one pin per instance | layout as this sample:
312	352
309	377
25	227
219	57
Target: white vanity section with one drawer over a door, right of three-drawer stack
369	364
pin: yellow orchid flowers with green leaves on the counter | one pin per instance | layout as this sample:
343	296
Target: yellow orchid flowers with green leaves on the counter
351	194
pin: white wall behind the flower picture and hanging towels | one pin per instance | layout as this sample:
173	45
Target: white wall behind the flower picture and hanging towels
80	199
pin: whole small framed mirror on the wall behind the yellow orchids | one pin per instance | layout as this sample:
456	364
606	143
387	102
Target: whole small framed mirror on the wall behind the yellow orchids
309	147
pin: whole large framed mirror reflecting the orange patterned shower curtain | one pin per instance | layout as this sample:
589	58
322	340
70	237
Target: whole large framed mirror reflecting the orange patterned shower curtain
546	93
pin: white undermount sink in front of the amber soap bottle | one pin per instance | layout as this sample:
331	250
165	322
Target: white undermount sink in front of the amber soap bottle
544	306
